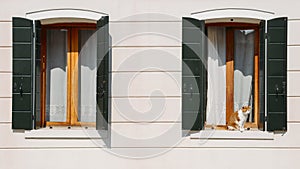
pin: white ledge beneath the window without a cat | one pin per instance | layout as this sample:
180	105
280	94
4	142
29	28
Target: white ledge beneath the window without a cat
62	134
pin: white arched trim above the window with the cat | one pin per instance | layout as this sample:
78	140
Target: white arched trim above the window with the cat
233	13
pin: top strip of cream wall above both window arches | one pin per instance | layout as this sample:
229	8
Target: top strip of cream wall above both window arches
122	9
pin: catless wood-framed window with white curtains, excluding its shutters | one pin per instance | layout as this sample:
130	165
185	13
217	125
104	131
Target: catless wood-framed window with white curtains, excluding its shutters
69	69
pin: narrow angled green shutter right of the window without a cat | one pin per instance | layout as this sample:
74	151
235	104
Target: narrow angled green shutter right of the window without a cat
103	75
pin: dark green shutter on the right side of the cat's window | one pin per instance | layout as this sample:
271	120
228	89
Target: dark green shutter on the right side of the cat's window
277	74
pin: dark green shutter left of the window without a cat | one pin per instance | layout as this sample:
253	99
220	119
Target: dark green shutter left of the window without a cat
22	96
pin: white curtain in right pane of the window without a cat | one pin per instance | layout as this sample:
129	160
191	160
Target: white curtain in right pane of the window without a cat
87	67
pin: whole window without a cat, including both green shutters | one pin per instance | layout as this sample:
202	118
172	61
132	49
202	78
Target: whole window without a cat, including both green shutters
60	74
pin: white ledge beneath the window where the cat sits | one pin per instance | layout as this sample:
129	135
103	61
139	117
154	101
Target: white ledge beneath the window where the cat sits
232	135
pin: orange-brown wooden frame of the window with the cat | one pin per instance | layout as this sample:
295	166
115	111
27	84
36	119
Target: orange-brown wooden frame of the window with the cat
230	27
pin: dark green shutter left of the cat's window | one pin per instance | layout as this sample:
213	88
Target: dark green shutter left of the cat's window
193	74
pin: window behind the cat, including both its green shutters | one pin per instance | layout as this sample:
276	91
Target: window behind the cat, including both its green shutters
225	68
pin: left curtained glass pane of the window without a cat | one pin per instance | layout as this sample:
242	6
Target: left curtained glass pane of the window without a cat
56	74
